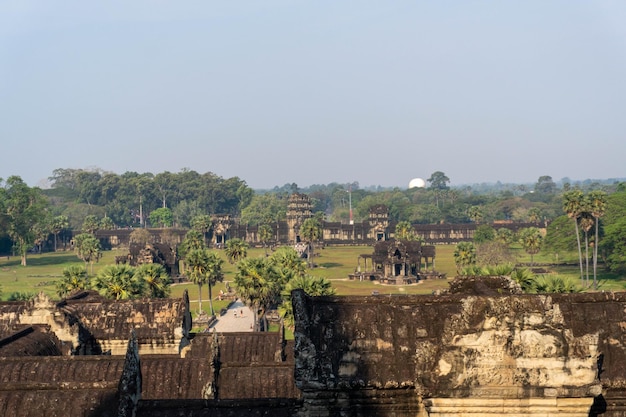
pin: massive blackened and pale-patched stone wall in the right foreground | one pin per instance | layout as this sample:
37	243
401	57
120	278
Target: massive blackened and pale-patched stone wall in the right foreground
460	355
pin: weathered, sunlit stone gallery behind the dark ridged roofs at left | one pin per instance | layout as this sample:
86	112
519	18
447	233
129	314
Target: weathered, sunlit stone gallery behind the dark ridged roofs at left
94	325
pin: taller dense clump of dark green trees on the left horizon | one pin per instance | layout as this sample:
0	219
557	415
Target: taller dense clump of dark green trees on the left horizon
128	199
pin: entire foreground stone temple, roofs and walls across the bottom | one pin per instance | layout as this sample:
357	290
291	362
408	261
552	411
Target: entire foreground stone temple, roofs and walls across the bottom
482	352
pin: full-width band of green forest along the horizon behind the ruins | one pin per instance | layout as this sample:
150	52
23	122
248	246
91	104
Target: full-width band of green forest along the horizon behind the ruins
90	199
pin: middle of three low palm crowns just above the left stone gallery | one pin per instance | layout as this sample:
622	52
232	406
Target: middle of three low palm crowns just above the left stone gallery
118	282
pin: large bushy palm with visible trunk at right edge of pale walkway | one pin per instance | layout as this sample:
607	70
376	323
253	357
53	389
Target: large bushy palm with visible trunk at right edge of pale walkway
258	285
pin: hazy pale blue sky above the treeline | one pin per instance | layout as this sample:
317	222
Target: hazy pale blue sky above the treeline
314	92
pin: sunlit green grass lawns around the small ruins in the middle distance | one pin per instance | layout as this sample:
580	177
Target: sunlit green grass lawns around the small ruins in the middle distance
334	263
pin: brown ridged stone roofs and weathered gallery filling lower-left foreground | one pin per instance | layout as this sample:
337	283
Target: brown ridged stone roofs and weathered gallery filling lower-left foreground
159	370
